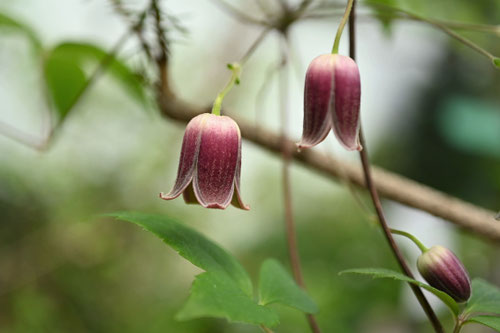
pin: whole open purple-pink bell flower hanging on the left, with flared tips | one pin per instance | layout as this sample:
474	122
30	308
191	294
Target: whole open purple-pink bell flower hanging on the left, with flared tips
210	163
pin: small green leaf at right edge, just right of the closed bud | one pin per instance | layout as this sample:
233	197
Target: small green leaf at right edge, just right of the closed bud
485	297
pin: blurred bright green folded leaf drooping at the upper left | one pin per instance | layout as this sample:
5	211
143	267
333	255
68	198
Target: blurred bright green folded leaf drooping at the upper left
68	67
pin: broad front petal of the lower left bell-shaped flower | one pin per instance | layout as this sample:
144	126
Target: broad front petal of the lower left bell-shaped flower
217	161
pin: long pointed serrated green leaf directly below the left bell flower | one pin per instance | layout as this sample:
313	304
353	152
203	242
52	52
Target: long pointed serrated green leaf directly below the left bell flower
192	245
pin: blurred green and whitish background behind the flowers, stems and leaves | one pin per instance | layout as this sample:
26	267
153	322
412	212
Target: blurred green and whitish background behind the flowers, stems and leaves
431	109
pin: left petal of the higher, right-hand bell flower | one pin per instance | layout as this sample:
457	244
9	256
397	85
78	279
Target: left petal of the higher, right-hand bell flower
318	92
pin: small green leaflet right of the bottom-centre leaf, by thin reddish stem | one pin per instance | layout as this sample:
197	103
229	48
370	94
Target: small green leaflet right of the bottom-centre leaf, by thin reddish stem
277	286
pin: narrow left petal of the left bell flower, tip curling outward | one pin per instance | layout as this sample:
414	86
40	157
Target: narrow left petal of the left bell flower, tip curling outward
189	154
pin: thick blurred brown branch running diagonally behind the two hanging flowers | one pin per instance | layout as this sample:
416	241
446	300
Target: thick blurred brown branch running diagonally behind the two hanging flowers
390	185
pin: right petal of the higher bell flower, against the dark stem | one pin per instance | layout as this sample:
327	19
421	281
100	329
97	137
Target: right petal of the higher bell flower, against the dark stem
346	102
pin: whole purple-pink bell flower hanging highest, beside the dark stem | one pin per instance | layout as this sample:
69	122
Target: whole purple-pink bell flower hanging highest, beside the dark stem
331	100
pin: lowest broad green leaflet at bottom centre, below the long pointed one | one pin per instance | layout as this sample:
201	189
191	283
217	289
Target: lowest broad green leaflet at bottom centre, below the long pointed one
215	295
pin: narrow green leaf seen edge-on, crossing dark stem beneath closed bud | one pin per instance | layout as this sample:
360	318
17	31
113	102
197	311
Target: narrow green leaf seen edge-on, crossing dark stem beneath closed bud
386	273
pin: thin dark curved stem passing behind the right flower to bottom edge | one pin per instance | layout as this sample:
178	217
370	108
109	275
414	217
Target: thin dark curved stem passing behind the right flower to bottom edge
378	205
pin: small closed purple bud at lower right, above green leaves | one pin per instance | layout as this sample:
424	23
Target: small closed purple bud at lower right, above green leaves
444	271
